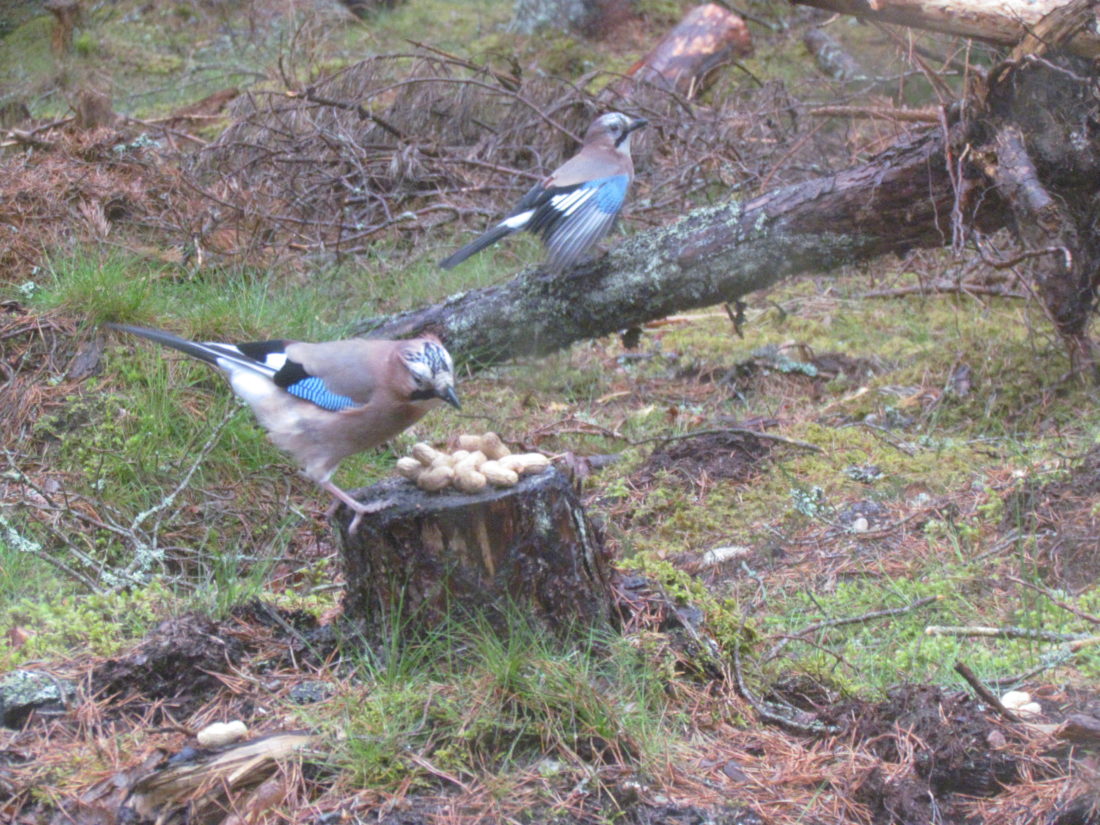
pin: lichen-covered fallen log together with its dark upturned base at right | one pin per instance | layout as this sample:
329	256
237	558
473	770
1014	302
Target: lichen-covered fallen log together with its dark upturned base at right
1026	158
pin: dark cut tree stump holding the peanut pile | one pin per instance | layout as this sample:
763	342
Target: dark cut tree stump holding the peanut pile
431	556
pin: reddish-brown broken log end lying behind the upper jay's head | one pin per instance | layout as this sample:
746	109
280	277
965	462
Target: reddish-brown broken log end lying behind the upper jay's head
687	58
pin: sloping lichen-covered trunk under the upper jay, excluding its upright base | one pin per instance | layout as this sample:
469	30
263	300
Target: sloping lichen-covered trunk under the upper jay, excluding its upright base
904	200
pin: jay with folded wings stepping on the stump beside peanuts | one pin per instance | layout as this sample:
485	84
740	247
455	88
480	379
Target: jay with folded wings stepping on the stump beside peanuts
324	402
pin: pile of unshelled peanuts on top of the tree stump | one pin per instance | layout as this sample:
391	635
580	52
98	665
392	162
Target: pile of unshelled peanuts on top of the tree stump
477	463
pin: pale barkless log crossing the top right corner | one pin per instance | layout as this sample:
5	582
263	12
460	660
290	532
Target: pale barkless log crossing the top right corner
1003	23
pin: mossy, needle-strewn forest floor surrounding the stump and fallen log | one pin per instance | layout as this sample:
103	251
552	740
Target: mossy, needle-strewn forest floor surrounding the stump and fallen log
813	509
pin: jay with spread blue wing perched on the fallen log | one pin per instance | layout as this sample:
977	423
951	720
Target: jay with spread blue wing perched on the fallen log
576	205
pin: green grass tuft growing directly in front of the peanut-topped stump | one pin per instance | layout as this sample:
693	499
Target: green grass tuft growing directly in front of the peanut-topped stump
470	702
